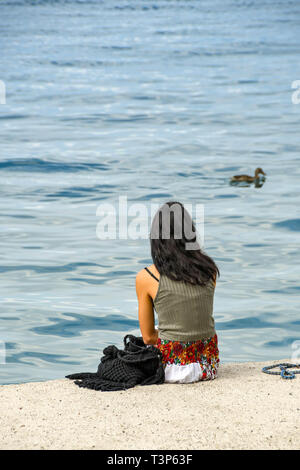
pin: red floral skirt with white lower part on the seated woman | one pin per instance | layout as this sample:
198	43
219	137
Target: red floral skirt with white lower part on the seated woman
191	361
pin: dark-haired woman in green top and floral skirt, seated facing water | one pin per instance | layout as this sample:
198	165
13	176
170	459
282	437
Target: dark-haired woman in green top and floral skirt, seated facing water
179	286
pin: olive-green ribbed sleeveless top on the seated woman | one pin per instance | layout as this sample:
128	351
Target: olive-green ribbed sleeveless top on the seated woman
185	311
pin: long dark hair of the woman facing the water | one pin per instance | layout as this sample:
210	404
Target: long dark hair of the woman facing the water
172	232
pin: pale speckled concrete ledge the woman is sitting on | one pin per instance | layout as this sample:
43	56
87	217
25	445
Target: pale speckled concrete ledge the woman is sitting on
242	409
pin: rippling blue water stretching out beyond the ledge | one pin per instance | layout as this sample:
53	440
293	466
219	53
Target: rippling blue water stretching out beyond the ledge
155	100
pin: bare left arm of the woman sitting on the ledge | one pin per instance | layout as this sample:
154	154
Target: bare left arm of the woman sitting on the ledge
146	313
